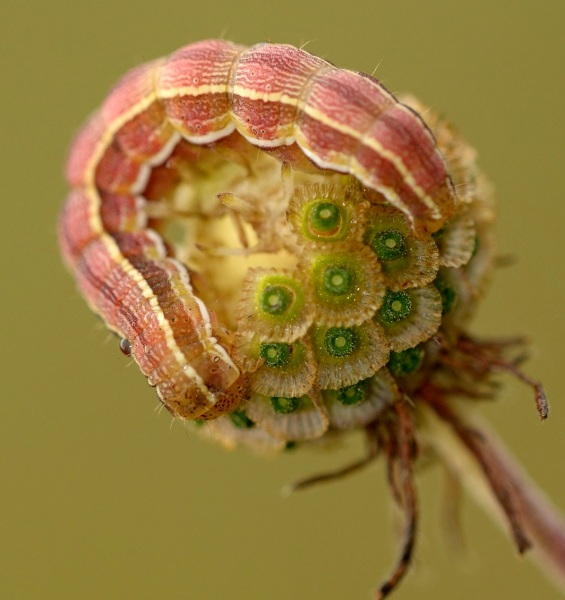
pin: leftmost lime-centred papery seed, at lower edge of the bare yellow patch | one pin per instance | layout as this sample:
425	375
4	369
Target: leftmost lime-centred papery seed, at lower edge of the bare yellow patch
274	305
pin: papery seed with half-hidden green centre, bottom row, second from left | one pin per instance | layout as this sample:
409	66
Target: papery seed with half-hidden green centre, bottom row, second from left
289	419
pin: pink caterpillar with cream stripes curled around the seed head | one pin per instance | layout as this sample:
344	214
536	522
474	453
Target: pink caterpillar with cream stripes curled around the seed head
222	97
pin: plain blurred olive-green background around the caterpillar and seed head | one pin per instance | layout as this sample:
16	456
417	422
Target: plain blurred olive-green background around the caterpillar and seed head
101	496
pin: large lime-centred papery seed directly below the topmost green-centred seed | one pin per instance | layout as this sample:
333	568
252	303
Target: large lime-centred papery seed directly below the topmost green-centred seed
347	284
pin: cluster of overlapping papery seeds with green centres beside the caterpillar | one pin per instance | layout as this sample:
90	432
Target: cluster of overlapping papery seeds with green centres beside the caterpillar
332	338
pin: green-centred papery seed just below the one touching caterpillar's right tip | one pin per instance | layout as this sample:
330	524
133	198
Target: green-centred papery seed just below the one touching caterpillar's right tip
411	316
